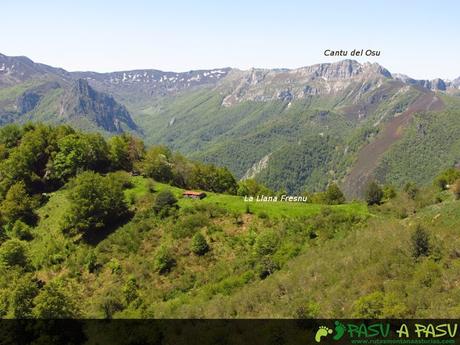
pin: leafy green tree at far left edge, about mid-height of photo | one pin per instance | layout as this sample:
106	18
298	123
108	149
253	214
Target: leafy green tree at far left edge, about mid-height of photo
18	205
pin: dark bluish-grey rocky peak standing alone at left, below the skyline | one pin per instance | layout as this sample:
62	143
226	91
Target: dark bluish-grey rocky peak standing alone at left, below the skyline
84	101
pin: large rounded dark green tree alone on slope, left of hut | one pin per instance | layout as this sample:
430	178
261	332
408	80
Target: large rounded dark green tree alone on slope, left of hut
95	202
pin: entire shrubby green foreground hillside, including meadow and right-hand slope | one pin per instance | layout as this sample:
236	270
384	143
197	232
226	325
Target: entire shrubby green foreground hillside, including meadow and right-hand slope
325	276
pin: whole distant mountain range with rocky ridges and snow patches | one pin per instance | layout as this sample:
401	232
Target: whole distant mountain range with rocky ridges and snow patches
293	129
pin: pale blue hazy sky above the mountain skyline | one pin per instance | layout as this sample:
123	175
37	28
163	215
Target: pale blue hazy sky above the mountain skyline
418	38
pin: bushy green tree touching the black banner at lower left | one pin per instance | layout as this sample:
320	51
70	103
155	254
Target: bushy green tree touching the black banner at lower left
54	302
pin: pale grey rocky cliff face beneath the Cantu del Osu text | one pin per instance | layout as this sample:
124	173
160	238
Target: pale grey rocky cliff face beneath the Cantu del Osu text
287	85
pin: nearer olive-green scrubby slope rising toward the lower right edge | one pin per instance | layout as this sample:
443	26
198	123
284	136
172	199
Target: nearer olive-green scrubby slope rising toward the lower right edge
329	280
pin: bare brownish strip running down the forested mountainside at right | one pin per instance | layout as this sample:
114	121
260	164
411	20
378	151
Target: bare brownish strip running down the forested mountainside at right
370	155
